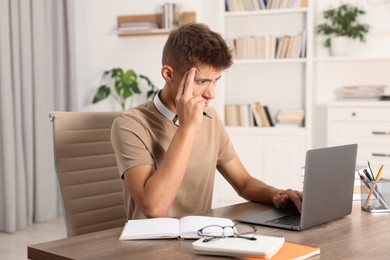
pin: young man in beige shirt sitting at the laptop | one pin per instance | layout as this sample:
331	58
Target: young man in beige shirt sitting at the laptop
168	149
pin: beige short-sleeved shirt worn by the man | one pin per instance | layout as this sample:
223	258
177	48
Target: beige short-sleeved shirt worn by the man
142	135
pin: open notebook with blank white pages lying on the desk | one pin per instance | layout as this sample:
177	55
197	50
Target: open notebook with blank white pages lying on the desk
159	228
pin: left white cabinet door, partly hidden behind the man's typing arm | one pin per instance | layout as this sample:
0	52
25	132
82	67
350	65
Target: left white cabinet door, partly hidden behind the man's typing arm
249	149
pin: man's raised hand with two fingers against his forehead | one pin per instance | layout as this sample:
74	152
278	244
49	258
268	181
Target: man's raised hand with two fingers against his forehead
189	108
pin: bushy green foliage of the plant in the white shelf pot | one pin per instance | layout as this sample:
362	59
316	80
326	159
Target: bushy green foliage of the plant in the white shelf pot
343	21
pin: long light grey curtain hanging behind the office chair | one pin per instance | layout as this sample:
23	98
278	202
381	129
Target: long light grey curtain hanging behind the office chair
36	77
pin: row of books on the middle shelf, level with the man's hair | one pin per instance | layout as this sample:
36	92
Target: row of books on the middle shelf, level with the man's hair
269	46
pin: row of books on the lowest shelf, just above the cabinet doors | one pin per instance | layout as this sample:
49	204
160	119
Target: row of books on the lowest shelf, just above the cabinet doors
256	114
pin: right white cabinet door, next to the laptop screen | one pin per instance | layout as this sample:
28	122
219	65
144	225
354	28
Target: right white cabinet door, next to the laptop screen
284	159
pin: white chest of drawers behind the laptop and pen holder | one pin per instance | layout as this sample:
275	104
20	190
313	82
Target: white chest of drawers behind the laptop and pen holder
366	123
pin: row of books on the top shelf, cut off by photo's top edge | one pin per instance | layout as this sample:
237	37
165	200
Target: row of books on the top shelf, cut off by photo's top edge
254	5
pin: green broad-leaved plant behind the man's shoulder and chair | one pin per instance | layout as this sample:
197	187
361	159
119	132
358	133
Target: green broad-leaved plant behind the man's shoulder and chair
125	85
